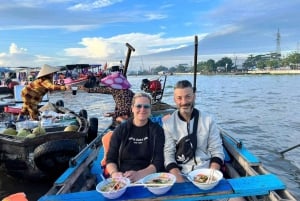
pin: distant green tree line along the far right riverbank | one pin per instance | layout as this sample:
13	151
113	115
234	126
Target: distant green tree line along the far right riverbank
271	61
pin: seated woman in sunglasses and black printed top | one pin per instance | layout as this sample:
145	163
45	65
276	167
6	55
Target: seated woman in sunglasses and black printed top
136	146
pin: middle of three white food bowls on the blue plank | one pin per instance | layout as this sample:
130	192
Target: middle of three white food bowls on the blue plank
161	188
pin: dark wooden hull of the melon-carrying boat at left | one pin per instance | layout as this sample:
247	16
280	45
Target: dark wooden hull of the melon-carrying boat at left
44	156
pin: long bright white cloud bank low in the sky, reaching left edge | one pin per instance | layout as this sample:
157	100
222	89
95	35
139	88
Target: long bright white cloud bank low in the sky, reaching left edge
98	50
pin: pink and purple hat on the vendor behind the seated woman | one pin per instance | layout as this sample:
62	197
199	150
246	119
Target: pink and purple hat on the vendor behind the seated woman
116	81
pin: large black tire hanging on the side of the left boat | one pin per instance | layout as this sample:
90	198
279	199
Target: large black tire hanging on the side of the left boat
53	157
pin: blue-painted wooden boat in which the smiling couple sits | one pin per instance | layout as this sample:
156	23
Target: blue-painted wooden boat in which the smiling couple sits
245	177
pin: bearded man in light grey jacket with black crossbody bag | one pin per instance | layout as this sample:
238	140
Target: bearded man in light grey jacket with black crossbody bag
205	137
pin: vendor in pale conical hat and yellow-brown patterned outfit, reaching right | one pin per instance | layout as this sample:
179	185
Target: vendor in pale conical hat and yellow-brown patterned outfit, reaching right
33	93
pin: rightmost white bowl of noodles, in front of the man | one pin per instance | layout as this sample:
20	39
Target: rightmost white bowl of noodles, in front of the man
208	184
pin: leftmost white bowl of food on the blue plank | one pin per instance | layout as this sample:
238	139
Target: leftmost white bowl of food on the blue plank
113	194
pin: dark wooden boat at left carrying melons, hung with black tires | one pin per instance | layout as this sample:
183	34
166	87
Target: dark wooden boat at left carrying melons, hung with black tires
47	155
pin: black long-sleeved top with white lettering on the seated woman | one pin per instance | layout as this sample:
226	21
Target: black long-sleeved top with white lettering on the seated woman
135	148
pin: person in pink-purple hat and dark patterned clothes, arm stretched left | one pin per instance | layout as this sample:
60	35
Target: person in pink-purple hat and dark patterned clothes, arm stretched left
119	87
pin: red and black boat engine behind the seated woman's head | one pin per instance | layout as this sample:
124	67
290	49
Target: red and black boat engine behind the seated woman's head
154	88
